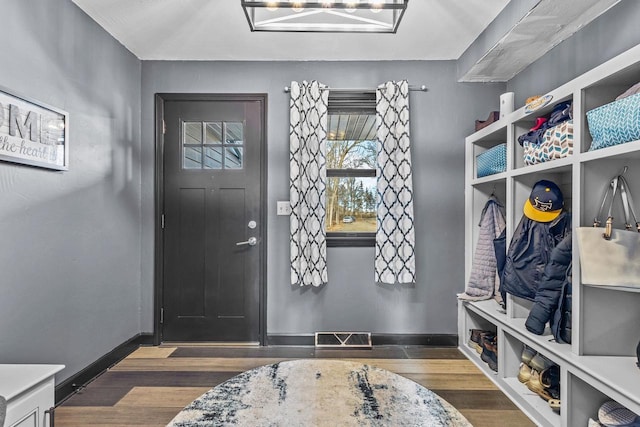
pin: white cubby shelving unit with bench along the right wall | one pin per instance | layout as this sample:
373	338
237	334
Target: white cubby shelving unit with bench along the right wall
600	362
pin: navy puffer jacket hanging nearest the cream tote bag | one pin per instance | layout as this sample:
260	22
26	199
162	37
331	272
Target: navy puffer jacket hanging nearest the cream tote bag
553	298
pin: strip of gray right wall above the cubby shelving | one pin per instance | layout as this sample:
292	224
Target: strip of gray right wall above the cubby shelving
609	35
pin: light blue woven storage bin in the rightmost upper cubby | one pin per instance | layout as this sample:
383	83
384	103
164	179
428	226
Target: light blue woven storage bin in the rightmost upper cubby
615	123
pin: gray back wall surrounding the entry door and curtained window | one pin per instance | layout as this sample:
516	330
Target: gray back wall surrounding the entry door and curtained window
440	120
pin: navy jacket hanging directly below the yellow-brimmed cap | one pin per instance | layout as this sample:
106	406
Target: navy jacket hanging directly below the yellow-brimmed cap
529	252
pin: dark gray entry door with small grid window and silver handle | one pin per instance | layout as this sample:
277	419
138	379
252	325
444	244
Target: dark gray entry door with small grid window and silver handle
212	232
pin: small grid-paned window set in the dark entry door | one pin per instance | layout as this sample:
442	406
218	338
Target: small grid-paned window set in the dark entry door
213	145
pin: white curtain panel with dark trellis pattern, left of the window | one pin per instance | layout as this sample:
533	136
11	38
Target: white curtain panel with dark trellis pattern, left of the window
308	171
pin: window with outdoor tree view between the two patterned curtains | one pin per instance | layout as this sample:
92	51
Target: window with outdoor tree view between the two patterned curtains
351	169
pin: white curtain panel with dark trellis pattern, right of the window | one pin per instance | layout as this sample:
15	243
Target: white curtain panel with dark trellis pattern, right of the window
395	239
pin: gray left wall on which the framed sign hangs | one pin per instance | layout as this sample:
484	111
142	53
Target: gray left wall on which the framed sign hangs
70	251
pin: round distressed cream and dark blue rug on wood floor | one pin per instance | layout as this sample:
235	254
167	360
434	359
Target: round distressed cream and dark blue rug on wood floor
316	392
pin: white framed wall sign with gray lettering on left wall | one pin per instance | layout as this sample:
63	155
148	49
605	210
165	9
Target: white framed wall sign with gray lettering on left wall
33	133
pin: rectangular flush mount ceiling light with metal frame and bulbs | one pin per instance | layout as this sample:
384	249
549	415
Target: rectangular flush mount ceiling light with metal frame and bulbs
342	16
